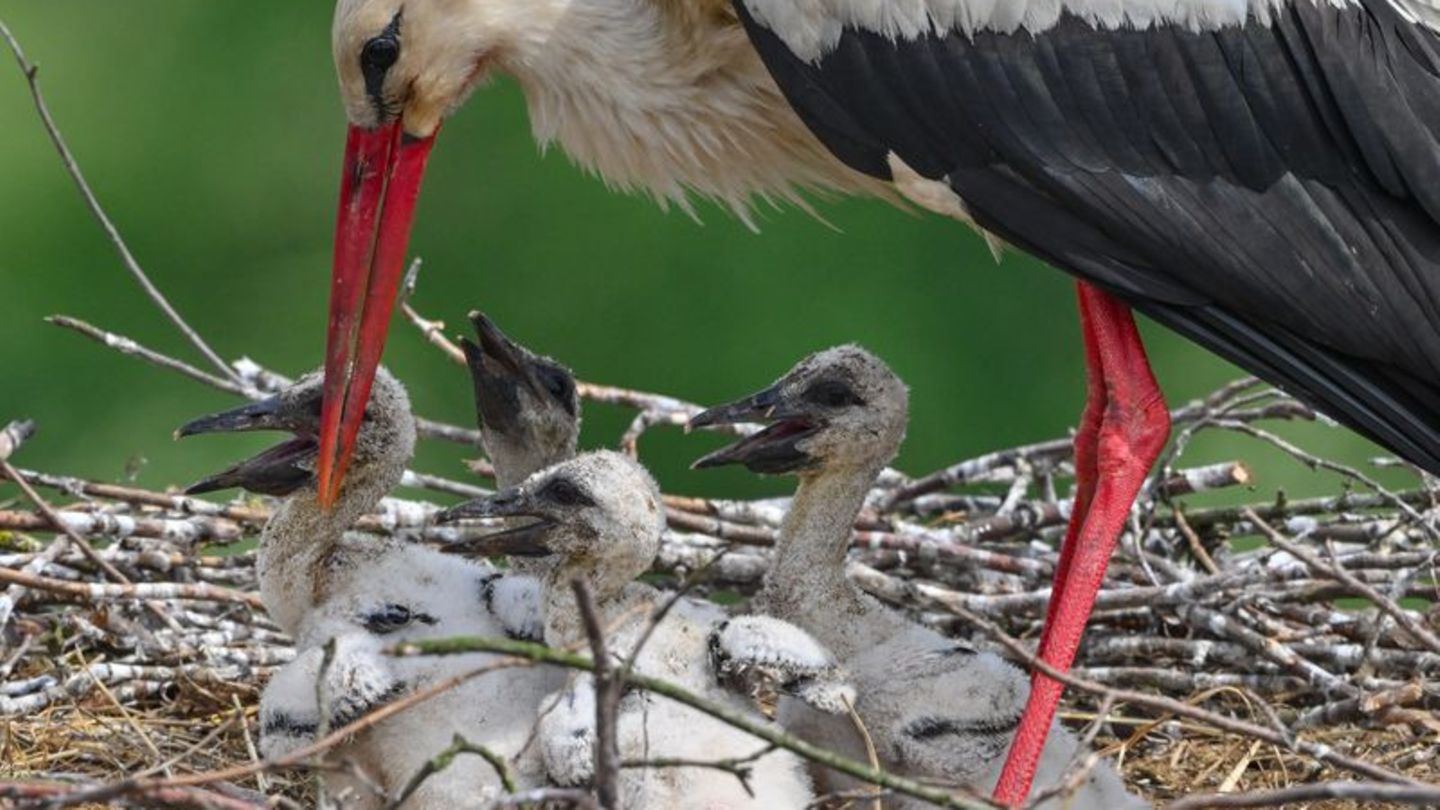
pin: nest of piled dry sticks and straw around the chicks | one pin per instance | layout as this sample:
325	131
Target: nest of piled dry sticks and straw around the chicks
138	645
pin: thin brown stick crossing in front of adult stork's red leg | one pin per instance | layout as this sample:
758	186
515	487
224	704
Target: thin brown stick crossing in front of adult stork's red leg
1315	750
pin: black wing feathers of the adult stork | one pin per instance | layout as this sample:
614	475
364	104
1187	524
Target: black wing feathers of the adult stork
1271	191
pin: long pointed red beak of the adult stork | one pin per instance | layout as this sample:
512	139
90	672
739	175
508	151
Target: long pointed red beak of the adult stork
378	191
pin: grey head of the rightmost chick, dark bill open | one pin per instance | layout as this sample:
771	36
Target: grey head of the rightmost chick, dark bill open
840	409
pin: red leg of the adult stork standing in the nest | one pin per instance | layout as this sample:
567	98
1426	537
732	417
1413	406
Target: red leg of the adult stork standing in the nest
1121	435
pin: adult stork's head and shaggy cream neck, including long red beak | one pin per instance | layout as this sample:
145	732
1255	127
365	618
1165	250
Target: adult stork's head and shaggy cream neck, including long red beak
665	97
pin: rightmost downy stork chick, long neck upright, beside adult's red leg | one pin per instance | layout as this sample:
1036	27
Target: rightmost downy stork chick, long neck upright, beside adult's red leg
935	708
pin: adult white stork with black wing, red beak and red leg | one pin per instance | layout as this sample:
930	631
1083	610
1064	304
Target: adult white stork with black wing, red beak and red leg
1264	177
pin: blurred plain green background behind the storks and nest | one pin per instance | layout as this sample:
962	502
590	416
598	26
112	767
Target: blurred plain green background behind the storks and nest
212	133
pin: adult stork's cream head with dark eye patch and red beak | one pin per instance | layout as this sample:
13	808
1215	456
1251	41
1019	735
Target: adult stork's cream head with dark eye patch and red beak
404	67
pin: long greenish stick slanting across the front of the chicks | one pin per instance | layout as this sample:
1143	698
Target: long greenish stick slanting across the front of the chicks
719	711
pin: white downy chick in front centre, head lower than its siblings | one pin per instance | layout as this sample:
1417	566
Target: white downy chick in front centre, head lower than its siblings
601	517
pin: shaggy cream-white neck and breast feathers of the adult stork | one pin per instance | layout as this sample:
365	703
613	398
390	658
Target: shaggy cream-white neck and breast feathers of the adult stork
672	99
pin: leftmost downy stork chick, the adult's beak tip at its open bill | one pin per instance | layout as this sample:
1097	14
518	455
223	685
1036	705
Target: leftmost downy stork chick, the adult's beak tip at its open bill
362	595
